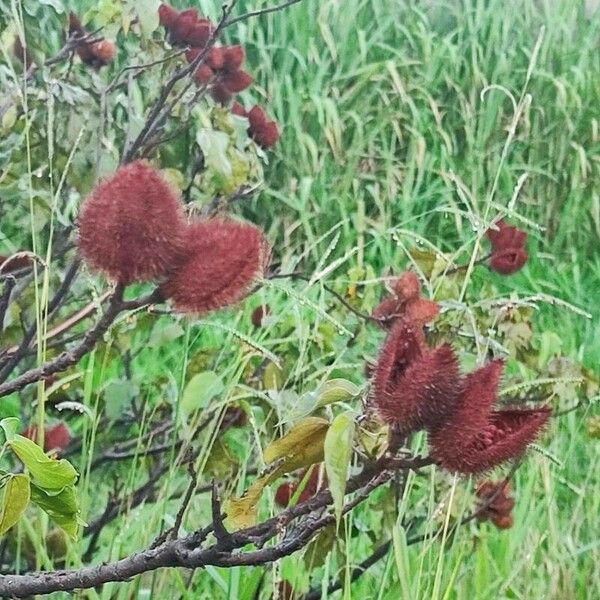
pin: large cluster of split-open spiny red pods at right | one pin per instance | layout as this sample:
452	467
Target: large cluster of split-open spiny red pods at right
416	387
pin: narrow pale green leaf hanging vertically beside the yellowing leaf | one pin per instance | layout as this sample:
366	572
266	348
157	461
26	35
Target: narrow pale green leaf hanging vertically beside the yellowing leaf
338	452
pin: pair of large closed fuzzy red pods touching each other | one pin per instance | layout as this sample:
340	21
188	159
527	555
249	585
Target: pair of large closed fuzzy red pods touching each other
132	228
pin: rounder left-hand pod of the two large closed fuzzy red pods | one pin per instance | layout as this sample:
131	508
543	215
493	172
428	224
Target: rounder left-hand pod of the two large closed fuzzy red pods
132	227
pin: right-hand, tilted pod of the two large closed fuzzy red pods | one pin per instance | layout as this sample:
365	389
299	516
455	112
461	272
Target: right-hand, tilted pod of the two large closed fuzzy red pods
224	258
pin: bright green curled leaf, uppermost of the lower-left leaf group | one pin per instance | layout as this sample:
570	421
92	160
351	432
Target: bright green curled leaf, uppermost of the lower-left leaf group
47	473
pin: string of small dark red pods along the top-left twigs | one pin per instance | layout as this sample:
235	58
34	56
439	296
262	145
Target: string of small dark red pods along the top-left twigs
220	68
